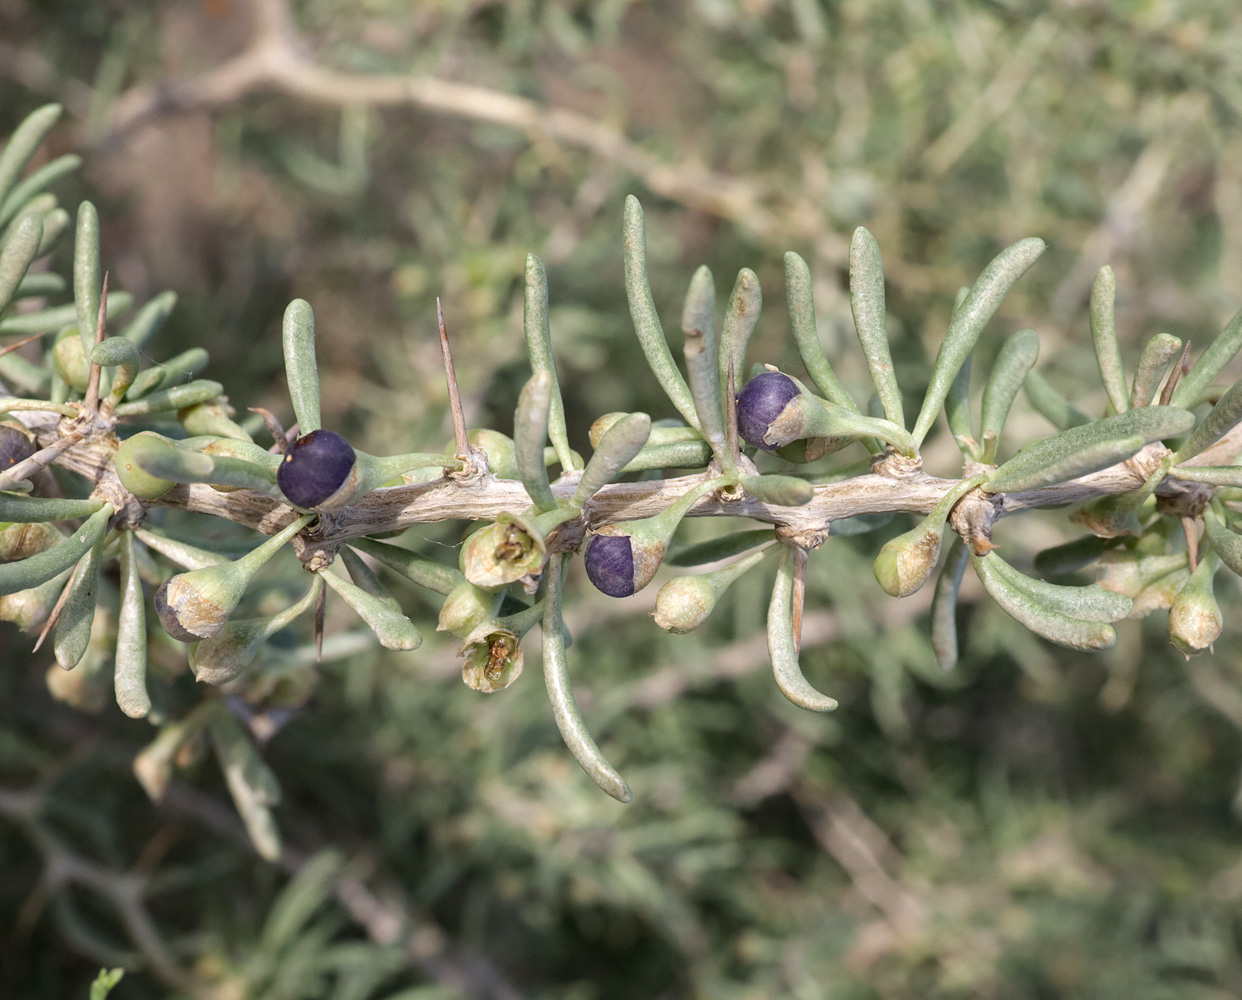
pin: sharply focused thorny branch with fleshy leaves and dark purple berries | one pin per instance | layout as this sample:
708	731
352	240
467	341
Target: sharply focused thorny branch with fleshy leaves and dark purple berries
1143	478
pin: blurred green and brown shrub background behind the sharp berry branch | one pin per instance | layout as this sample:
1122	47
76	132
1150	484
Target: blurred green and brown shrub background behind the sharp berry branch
1036	824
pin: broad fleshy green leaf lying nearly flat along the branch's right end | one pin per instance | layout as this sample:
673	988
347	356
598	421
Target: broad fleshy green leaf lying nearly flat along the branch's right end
1087	449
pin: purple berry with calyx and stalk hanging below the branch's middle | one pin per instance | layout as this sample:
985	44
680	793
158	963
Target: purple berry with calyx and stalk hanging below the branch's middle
622	560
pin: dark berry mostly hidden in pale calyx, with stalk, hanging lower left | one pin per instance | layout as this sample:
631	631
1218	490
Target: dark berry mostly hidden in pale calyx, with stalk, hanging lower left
197	606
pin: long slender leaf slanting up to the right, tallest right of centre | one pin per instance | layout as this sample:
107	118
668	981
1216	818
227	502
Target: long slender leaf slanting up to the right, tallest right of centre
968	324
